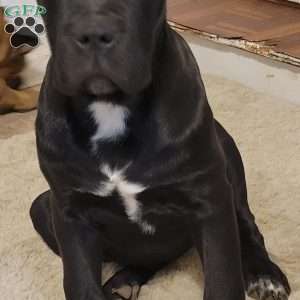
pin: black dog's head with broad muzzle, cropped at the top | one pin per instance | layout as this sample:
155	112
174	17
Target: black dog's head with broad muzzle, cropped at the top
101	47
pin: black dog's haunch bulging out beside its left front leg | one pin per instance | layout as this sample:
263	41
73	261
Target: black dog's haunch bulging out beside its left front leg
41	217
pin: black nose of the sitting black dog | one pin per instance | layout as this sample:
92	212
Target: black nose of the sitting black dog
103	39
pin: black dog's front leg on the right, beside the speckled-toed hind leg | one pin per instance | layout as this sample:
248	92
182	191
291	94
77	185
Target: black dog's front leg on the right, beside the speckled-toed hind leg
217	241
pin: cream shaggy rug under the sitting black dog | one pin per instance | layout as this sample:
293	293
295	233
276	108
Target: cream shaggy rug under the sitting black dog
268	134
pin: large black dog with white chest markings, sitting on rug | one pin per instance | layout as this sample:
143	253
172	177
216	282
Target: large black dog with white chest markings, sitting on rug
138	168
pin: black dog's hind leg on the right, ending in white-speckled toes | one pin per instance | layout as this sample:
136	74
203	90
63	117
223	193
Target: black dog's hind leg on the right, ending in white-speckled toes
263	279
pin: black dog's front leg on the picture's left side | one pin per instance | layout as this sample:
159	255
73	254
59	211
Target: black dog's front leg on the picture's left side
80	249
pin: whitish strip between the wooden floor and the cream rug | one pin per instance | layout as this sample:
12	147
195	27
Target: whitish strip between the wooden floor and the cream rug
262	74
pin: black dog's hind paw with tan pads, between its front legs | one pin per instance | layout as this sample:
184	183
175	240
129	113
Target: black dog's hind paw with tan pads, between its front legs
126	284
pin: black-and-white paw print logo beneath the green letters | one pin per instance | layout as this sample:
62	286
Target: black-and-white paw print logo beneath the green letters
24	32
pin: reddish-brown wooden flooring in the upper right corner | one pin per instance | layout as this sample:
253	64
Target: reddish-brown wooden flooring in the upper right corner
276	25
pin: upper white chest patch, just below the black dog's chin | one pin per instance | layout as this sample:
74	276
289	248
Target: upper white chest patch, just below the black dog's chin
110	120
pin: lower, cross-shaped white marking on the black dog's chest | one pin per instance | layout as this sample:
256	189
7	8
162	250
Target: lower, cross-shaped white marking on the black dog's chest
128	192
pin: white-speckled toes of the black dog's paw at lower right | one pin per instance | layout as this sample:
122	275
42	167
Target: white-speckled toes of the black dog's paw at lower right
267	289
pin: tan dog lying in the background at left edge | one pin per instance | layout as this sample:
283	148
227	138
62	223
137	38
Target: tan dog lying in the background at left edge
12	62
